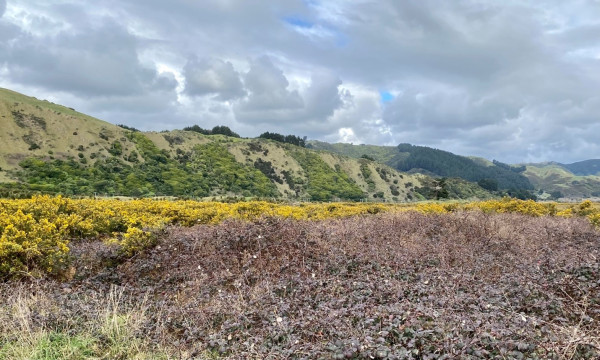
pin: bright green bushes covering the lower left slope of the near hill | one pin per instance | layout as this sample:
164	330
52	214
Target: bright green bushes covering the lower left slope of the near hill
197	173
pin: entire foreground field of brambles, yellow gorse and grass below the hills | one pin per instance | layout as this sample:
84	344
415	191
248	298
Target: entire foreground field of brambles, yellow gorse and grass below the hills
145	279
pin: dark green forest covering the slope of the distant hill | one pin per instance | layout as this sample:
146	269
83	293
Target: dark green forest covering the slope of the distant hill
446	164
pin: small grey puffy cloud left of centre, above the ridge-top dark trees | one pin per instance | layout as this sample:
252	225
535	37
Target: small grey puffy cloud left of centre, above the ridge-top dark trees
212	76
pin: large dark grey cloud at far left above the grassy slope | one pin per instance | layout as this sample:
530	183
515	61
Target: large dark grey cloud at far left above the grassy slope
97	62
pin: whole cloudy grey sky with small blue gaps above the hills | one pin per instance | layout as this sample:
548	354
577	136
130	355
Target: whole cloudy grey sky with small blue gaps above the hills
511	80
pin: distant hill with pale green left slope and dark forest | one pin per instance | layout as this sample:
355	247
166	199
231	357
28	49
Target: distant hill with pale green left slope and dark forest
411	158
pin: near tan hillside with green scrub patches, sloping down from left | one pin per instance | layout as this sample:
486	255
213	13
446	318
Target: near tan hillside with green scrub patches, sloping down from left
50	148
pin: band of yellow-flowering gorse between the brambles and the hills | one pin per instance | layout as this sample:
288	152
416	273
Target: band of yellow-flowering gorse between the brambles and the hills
35	233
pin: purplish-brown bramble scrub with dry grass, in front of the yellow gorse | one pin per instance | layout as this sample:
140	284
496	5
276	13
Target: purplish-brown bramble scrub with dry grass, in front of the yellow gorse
466	284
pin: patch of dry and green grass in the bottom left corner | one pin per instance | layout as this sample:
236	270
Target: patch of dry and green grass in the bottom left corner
109	334
